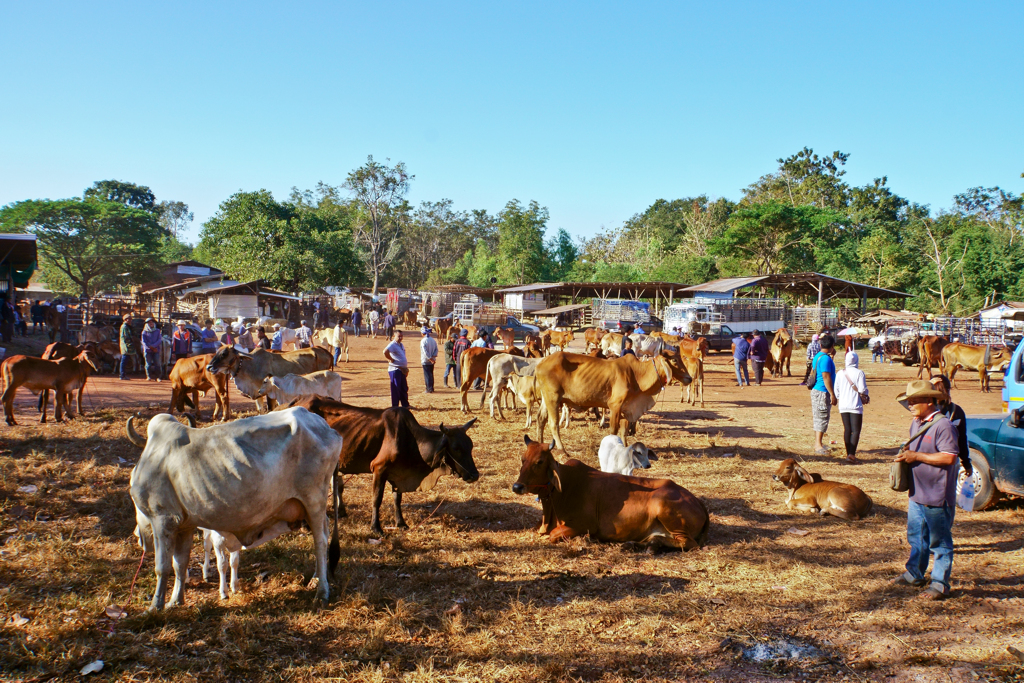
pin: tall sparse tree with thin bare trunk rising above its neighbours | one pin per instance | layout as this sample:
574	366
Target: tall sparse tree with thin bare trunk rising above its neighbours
380	192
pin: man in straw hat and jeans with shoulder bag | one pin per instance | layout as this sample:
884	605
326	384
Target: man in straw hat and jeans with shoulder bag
932	456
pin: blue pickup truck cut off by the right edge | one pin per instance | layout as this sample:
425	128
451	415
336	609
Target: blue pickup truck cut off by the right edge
998	442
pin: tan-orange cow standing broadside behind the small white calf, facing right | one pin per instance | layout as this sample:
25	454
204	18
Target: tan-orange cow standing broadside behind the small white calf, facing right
580	381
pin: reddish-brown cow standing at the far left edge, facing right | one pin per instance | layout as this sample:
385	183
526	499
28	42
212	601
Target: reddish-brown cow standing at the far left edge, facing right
63	377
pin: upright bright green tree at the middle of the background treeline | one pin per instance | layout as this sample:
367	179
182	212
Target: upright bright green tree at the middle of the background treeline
521	243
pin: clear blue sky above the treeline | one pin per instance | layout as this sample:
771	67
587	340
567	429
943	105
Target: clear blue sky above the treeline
594	110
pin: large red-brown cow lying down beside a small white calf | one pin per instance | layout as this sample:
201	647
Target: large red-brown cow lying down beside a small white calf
580	500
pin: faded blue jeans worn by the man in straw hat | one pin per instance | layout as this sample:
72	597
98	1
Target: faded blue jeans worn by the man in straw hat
929	531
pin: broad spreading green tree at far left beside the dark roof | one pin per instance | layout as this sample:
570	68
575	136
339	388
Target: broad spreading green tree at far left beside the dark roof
84	245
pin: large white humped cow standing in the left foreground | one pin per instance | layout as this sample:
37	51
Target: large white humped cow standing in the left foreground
254	479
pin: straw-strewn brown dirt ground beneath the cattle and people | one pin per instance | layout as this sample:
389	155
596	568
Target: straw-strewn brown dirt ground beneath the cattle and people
472	593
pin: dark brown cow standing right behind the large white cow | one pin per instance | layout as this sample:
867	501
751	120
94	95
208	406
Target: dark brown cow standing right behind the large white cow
391	445
